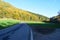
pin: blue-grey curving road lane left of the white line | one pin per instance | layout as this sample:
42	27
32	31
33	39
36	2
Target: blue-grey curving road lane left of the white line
16	32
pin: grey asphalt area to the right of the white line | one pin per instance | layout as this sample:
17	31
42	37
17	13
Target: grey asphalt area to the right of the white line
43	35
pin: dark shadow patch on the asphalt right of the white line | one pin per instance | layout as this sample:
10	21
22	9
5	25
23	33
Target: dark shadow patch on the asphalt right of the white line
45	31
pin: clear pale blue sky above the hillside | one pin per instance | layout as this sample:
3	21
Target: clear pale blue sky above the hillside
48	8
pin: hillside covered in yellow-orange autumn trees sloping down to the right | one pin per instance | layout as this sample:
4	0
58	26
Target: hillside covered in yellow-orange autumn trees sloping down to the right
9	11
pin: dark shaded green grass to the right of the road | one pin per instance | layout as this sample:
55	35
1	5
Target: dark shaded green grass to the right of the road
44	25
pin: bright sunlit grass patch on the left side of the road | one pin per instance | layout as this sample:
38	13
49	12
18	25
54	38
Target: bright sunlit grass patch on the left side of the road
4	23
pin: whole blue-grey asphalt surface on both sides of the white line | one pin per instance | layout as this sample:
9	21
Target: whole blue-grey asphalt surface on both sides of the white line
24	32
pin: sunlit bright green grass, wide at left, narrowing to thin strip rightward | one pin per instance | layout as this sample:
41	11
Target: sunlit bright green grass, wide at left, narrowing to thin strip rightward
4	23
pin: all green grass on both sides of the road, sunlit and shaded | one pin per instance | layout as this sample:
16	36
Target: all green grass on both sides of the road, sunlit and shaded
4	23
